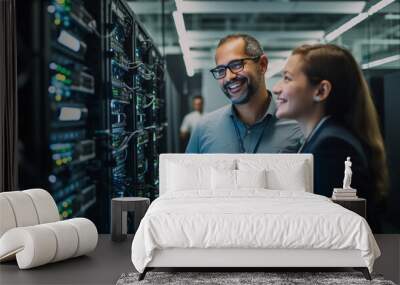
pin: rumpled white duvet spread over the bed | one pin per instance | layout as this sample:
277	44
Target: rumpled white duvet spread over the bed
251	218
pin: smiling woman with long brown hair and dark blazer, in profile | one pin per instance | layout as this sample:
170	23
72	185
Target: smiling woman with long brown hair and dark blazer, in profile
323	88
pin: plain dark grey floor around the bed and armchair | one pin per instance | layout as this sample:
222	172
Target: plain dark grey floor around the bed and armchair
110	260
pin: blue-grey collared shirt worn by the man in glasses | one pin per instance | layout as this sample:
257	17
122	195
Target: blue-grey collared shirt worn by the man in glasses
215	133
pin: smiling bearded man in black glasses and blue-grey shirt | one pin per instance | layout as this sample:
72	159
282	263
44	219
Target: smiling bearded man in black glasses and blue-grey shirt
248	123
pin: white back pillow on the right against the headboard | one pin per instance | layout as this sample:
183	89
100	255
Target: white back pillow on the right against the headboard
280	174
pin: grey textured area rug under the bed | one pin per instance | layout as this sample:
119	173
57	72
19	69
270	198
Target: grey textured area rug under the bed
244	278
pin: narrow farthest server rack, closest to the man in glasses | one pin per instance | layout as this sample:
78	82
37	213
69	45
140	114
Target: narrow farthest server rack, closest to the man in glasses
150	104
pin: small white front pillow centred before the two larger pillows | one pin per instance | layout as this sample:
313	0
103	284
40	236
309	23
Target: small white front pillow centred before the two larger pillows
236	179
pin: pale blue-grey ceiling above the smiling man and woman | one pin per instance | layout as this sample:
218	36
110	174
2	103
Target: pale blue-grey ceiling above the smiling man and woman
279	25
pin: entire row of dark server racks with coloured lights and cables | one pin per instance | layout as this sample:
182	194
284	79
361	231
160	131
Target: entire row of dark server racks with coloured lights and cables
97	111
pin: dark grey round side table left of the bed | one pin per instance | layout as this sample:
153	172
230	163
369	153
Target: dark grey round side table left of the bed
119	209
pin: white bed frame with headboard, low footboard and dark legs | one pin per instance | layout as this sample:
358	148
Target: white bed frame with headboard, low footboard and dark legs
246	258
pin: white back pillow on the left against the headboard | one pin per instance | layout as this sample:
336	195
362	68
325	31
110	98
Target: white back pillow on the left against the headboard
189	175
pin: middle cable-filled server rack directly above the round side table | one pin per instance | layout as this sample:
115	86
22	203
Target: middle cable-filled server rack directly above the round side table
115	122
